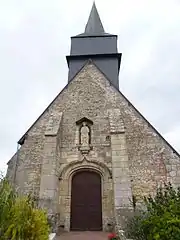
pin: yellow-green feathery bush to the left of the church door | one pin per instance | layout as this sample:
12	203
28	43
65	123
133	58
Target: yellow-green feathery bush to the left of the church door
19	217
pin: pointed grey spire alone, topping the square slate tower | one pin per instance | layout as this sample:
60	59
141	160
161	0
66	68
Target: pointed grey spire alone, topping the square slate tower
94	25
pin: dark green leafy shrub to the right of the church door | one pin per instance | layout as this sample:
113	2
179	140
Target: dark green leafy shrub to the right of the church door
161	220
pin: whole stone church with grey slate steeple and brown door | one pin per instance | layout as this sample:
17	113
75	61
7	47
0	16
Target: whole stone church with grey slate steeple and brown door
91	152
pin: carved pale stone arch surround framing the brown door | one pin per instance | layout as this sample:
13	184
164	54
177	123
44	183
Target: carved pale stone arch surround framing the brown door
65	182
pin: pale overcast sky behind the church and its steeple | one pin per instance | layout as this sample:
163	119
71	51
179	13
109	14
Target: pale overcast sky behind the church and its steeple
35	38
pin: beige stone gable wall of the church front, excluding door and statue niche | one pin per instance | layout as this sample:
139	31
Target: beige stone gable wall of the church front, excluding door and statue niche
137	156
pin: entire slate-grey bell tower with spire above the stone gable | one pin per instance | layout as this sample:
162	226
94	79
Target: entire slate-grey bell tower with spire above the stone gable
95	44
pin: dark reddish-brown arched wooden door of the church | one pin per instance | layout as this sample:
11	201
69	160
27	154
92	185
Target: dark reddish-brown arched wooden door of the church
86	202
